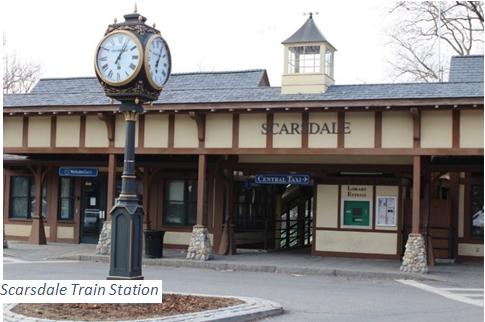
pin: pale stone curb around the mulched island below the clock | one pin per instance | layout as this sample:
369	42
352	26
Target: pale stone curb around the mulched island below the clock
253	309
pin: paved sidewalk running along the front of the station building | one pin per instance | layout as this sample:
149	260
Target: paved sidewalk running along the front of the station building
288	262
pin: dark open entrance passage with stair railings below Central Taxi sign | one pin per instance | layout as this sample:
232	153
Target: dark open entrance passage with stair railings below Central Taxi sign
273	217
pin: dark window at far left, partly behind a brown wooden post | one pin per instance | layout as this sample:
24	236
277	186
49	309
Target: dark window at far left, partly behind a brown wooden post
22	197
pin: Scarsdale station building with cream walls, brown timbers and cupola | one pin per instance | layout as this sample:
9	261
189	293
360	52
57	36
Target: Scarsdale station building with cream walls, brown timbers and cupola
342	170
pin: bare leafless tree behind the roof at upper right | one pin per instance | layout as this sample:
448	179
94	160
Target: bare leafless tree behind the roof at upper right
426	32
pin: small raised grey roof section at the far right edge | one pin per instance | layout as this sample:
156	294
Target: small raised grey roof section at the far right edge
466	69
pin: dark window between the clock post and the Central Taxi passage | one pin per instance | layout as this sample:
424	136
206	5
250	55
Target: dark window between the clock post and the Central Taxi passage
180	202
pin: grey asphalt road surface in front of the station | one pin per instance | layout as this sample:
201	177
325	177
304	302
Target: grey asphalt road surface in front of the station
305	297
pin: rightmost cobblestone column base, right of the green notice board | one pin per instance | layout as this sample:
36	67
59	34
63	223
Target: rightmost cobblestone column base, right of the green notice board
415	260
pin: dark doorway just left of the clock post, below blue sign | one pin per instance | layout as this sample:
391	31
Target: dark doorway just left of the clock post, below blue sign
93	208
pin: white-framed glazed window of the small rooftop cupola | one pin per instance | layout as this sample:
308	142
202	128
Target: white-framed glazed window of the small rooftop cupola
304	59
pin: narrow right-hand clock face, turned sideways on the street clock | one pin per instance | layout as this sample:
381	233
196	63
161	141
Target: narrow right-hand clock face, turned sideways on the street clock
157	61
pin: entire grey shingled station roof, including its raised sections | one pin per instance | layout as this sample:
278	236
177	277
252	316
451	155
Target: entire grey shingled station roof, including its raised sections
253	86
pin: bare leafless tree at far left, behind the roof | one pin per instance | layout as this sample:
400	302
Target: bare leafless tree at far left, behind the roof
18	76
